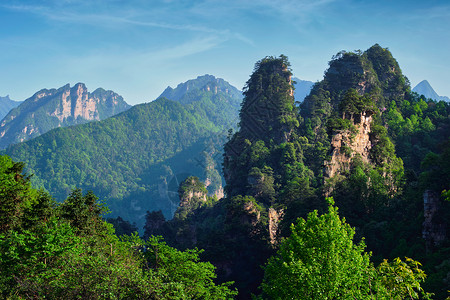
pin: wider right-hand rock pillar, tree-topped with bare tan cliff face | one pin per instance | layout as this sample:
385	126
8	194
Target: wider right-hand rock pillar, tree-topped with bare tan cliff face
340	111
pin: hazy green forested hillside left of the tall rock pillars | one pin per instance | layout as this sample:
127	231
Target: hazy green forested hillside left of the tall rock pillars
133	159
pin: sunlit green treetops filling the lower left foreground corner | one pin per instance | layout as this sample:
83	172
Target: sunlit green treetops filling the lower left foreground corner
74	254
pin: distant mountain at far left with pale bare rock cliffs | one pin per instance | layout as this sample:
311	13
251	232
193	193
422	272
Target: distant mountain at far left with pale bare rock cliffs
53	108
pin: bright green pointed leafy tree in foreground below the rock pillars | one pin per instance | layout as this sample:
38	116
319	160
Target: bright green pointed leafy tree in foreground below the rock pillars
318	261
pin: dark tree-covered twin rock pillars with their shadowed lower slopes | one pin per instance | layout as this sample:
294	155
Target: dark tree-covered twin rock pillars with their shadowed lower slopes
356	122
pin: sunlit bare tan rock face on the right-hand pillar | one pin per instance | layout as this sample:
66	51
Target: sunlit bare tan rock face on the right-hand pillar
345	145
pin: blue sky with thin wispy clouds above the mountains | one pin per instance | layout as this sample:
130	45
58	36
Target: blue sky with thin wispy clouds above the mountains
139	47
